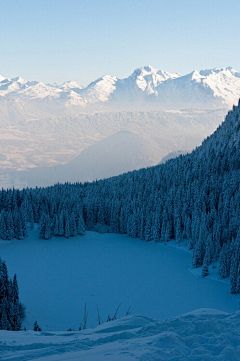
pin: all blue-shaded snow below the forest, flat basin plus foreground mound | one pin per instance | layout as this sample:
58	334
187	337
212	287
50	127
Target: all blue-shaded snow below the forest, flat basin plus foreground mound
58	276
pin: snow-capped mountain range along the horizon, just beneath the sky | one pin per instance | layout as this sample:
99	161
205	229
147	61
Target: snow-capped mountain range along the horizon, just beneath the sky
145	89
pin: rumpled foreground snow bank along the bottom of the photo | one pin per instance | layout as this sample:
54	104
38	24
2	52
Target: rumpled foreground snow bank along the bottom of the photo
197	336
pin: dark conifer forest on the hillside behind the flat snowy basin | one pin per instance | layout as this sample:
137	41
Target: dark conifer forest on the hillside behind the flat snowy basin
194	197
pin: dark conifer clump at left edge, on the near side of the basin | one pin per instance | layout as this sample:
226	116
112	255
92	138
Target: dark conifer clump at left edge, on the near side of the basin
11	310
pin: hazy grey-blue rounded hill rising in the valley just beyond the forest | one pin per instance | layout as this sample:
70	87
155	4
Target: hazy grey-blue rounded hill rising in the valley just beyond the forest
116	154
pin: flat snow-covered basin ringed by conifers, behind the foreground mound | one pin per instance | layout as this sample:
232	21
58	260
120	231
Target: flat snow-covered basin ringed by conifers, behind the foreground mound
56	278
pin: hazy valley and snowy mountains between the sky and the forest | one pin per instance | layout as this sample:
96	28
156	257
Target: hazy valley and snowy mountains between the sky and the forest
68	132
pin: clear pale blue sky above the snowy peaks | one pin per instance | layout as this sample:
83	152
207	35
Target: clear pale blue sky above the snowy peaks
58	40
